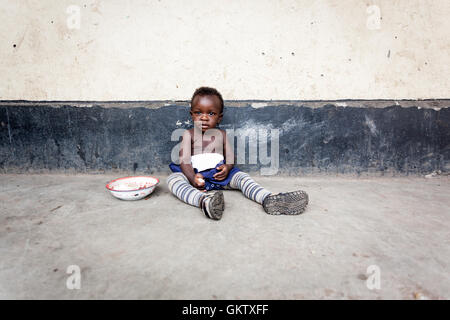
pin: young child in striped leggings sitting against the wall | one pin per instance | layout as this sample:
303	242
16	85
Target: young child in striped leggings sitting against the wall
205	167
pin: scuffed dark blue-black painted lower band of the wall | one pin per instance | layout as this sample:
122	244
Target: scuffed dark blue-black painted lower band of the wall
136	139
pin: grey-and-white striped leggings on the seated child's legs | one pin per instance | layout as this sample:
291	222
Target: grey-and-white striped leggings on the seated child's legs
179	185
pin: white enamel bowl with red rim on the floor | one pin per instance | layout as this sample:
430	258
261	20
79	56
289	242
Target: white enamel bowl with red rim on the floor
132	188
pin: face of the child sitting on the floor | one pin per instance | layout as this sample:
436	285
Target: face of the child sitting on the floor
206	109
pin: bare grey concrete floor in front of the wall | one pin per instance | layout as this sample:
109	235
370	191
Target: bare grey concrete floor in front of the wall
161	248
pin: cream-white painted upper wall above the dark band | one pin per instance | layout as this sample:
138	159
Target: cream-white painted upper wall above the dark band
248	49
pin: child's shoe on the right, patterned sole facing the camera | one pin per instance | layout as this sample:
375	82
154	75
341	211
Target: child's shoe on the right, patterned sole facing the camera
290	203
